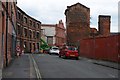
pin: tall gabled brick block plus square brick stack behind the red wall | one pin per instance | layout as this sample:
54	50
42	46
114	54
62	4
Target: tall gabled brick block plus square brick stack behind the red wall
78	24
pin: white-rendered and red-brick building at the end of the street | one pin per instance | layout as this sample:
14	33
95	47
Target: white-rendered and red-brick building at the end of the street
54	34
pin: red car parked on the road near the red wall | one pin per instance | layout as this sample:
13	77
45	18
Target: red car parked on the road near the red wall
69	52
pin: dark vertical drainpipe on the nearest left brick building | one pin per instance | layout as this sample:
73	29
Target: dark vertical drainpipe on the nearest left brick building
6	32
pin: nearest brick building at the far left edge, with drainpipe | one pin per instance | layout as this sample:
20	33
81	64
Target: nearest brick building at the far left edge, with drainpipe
7	32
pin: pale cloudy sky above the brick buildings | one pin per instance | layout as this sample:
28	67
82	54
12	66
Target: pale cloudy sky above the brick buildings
51	11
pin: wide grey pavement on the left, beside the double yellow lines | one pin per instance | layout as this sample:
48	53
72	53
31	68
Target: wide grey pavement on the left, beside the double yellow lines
19	68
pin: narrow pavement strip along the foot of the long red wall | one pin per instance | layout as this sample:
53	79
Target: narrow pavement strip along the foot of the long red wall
113	65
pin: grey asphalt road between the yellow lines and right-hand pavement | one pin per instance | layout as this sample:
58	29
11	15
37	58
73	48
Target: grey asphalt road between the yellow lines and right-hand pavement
51	66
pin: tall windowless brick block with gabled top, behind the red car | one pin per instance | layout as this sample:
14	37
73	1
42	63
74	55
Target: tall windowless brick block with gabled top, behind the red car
77	23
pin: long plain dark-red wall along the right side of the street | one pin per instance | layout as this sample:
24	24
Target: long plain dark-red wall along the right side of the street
104	48
